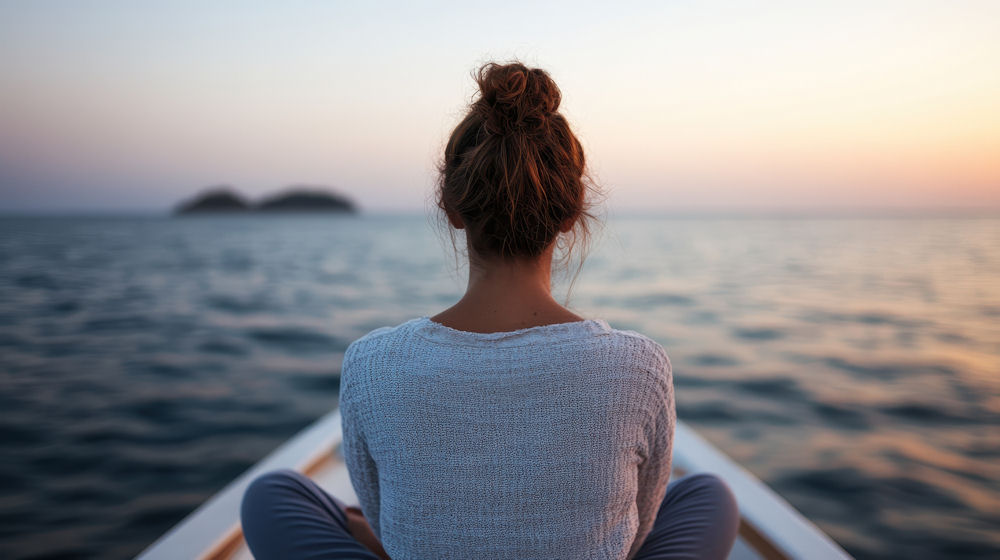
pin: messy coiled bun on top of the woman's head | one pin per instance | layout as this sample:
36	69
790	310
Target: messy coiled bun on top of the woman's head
515	98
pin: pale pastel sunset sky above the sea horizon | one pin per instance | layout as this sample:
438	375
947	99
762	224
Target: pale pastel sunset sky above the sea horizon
133	106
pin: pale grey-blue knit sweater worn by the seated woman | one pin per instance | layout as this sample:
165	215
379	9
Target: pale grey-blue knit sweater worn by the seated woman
547	442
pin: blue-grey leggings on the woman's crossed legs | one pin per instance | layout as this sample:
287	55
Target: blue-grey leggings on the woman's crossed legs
286	515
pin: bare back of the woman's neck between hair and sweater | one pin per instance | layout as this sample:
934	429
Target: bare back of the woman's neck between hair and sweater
506	295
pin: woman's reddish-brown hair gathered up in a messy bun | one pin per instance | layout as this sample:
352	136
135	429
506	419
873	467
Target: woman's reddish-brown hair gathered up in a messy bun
513	171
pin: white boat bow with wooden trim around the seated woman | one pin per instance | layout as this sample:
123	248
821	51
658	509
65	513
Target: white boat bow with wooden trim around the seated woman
770	528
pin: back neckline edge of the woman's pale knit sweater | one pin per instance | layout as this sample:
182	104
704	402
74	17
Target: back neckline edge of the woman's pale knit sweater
541	333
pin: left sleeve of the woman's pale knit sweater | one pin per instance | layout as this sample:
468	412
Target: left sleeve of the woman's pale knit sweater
360	465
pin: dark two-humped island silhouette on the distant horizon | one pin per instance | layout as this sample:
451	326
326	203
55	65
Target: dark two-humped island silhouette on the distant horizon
299	198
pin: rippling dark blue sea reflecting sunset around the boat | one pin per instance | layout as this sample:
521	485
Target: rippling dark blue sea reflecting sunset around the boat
854	365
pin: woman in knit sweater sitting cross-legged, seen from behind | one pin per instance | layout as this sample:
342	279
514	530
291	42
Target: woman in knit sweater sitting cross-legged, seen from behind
506	426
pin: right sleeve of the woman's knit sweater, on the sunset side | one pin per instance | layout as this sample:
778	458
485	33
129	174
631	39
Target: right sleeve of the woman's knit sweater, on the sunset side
654	471
